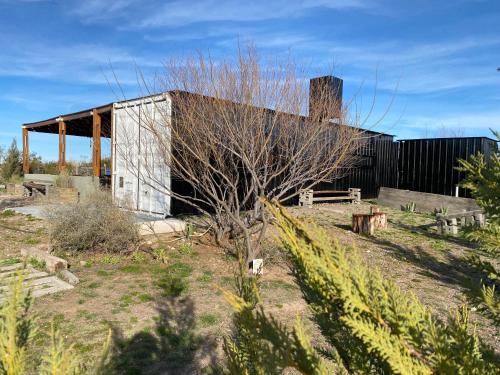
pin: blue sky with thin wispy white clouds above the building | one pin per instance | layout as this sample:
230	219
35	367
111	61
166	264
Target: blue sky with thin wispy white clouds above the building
436	59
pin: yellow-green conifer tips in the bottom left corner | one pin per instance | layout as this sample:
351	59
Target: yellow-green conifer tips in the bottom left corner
17	330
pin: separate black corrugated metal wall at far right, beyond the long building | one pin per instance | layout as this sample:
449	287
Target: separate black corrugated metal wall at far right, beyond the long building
429	165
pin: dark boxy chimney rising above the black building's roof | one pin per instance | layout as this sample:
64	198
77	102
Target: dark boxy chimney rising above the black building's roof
325	92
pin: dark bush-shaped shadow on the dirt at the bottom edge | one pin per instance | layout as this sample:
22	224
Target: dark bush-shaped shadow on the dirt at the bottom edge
172	346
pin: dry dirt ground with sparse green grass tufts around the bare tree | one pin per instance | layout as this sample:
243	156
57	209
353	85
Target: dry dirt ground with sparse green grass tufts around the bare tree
171	318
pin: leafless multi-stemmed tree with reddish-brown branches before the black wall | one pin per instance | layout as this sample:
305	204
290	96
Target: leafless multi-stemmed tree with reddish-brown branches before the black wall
238	132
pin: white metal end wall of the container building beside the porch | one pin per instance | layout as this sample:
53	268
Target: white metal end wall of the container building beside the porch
140	176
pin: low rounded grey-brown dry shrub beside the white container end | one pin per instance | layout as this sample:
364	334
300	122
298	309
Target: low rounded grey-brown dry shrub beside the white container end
94	224
